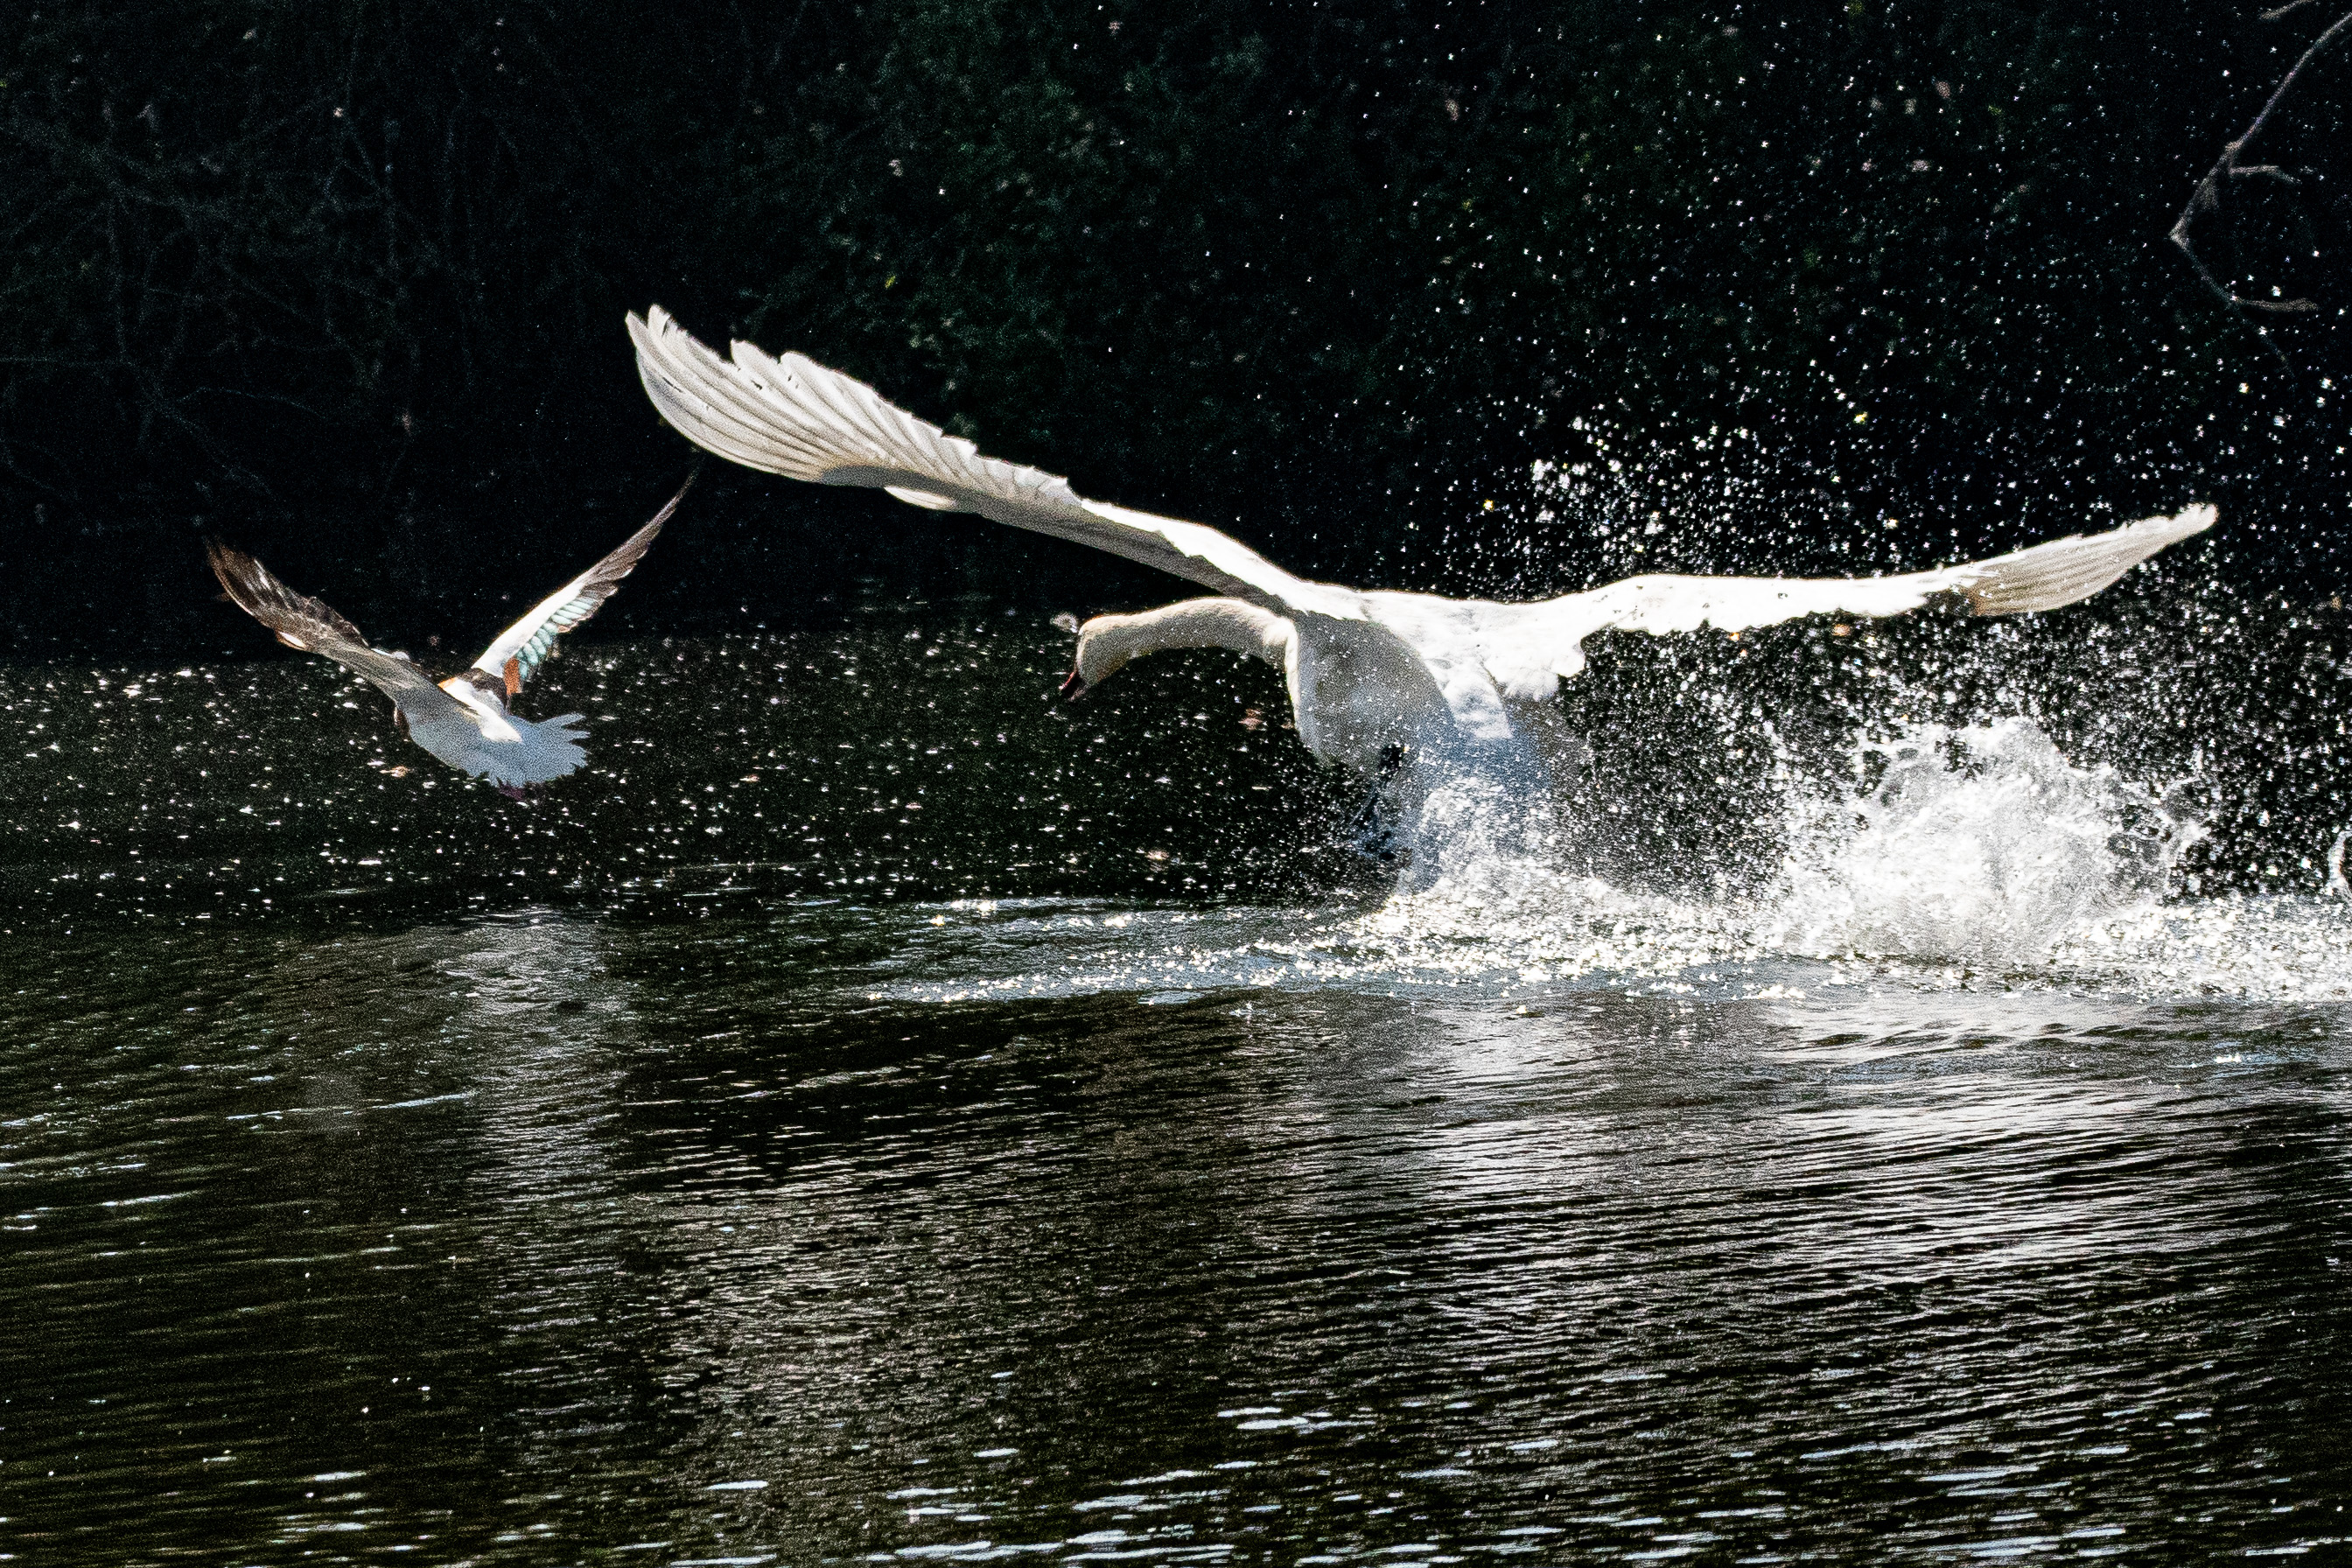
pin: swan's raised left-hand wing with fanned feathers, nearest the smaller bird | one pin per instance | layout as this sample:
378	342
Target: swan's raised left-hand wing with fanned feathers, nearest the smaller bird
801	420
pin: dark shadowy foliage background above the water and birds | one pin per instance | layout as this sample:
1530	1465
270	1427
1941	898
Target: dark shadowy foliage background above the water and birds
345	281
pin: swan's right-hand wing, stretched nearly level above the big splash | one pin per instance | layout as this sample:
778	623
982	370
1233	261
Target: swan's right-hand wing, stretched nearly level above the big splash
1532	645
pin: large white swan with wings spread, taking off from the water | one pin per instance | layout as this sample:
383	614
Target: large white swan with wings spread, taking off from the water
1368	671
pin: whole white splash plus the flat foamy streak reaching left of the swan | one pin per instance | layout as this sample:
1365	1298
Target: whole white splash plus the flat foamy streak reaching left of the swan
1946	857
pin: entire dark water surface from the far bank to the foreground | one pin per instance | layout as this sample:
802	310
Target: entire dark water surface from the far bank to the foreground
1074	1155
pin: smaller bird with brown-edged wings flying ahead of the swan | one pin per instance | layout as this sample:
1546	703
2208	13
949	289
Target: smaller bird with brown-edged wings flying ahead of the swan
462	721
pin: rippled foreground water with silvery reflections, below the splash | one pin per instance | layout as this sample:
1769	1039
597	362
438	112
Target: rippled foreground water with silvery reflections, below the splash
575	1240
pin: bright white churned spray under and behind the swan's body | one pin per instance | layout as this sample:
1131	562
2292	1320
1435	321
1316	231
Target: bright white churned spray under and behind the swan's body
1944	855
